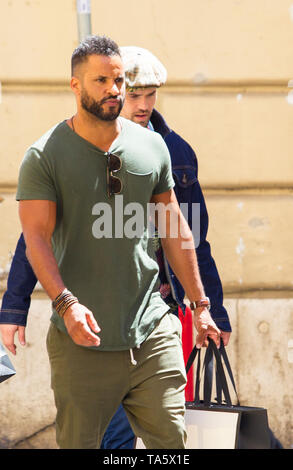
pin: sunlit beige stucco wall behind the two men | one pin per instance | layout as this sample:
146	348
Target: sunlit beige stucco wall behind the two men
229	65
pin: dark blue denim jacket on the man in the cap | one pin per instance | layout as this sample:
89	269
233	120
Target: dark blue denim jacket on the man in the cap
22	280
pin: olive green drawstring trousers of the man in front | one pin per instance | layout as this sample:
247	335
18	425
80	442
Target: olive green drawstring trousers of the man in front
89	385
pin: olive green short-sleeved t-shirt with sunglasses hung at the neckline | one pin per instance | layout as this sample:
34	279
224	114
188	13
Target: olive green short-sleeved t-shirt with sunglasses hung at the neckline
100	242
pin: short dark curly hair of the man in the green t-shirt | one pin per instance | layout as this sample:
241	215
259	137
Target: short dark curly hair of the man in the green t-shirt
99	45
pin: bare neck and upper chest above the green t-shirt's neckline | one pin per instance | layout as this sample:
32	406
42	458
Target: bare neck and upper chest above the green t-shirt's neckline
97	132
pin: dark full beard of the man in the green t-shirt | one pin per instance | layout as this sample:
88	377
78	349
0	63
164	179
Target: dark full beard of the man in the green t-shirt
96	107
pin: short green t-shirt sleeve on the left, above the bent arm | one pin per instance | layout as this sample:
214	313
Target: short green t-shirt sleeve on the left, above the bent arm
35	178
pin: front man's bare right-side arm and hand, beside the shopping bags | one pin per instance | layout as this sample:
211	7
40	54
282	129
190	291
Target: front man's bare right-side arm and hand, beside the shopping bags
178	246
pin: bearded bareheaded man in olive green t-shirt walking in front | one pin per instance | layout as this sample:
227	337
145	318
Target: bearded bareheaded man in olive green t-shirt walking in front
84	191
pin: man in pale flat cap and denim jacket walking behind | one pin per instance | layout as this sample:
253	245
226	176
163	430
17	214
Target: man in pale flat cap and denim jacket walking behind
144	73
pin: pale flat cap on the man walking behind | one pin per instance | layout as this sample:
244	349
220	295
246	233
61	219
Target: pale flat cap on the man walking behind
142	68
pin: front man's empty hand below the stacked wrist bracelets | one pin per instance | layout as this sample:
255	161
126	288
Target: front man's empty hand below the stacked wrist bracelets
81	325
